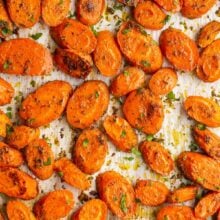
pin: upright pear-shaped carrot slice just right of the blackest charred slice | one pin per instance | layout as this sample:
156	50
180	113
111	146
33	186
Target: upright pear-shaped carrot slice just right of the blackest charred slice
107	56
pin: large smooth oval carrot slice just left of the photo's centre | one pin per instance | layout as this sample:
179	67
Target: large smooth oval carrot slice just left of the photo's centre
88	103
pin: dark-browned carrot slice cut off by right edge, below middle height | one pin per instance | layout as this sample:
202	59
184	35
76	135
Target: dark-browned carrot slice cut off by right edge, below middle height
208	141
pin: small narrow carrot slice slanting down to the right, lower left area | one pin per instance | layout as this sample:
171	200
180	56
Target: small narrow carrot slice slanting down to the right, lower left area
71	174
